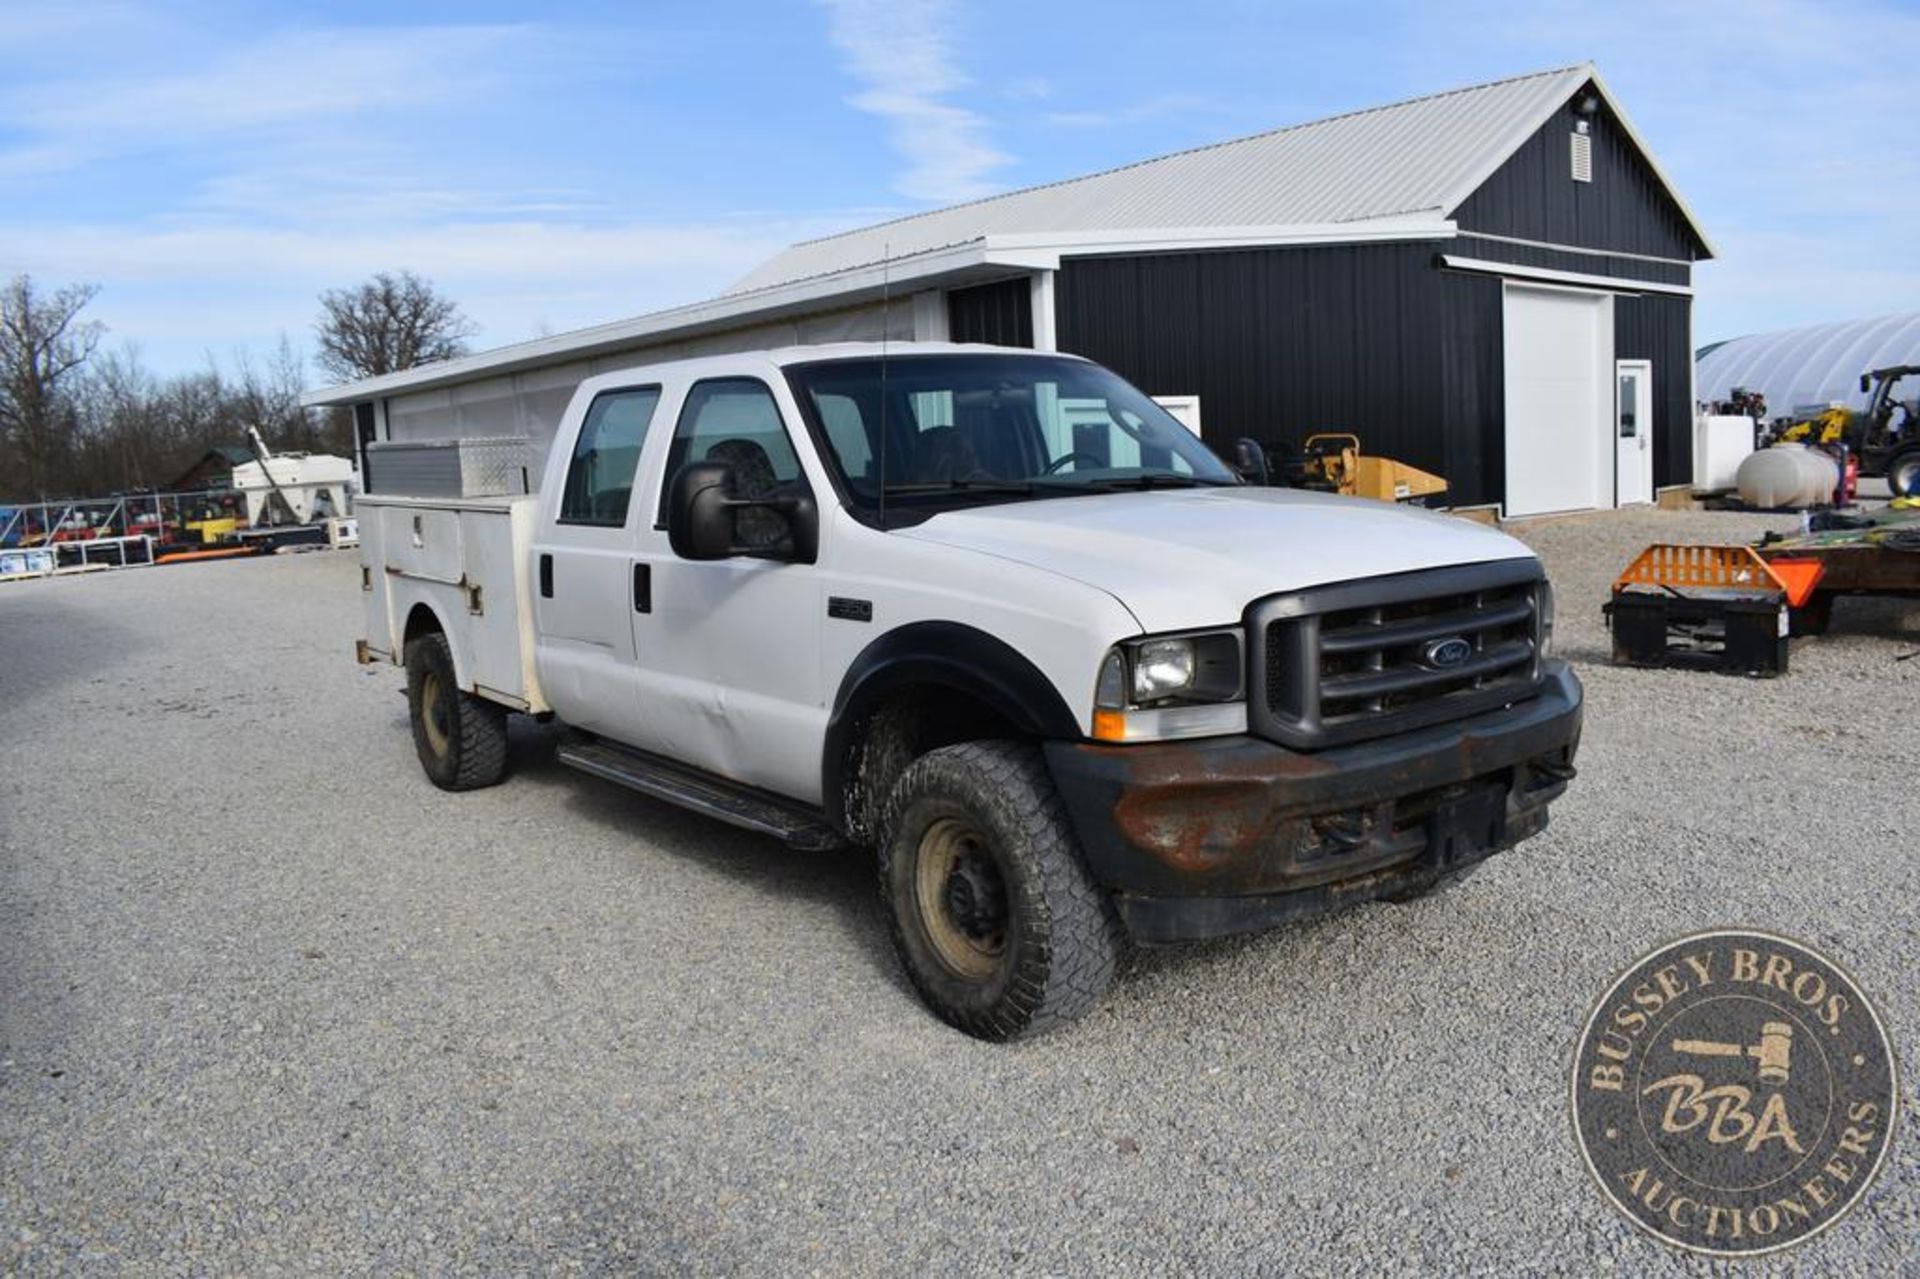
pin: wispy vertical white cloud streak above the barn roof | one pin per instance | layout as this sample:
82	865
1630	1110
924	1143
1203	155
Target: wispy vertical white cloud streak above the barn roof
903	53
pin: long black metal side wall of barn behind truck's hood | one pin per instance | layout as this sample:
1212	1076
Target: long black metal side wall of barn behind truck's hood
1289	341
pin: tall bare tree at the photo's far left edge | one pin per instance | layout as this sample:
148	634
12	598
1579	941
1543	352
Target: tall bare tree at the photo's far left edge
43	343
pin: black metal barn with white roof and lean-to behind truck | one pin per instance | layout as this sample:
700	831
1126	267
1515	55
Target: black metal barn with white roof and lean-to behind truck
1491	283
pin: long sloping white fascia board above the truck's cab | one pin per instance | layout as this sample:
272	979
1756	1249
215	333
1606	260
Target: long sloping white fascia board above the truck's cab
725	312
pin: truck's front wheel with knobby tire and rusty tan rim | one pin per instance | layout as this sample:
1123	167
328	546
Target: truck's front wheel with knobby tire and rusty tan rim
999	925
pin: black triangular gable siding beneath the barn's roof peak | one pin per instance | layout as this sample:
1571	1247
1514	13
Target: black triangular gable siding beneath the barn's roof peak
1625	208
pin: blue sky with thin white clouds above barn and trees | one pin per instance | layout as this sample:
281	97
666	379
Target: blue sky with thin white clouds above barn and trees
216	166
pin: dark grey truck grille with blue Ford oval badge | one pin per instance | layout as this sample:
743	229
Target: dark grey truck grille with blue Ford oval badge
1383	656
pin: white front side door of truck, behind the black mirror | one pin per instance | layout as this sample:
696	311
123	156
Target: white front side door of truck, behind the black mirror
731	650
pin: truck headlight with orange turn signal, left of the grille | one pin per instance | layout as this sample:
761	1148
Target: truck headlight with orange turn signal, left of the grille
1172	687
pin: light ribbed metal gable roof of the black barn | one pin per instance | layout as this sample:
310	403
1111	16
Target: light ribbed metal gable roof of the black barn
1393	162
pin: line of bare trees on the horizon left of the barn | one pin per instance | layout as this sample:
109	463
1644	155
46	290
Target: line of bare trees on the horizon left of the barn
78	422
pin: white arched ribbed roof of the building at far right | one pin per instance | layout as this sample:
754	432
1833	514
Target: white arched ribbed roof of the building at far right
1819	364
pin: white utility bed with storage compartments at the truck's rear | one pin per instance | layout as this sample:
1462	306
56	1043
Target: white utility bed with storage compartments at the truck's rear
454	558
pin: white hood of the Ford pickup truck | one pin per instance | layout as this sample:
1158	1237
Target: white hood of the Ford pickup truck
1199	556
